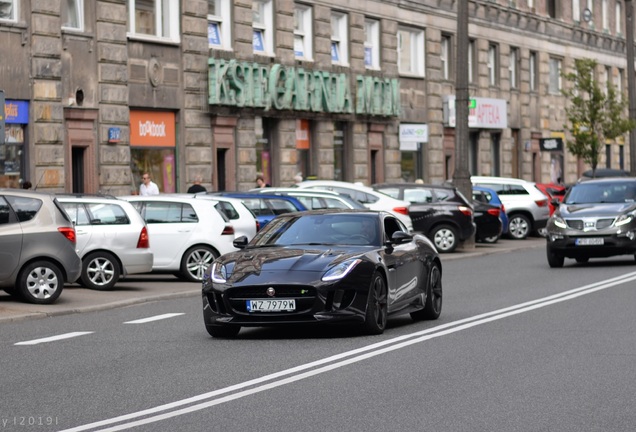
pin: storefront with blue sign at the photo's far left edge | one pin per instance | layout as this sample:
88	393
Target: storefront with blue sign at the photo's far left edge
13	157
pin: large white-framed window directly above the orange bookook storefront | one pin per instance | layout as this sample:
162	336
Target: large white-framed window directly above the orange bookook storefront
154	18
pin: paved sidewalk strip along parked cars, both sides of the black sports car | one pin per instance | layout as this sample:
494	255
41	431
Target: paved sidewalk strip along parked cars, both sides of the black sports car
147	288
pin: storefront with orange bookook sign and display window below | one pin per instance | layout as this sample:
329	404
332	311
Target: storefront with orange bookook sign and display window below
153	148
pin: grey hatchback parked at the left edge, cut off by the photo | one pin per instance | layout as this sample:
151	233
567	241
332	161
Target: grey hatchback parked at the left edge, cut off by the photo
38	254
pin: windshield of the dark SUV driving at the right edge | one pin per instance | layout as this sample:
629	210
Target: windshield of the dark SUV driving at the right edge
588	193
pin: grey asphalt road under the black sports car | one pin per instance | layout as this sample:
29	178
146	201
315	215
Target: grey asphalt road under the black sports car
519	347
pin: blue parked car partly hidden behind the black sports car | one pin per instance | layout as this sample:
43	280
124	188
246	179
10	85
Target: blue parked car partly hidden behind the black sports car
265	207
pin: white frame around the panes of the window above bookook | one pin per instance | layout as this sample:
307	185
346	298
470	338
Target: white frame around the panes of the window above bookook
172	18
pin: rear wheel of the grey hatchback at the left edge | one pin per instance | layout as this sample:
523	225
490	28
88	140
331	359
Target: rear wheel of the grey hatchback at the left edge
40	282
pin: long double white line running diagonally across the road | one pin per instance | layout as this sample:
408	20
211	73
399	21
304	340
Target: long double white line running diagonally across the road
356	355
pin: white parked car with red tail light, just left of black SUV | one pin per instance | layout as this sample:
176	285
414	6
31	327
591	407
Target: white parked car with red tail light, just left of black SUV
365	195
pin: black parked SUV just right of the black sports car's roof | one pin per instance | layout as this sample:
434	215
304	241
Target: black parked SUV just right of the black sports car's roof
439	212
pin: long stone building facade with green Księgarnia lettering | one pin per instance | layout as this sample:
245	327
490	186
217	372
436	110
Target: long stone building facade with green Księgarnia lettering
98	92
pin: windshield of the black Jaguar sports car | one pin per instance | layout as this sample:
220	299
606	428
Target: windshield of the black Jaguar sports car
320	229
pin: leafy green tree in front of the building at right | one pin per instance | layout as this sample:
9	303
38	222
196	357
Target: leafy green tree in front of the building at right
594	114
